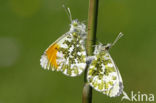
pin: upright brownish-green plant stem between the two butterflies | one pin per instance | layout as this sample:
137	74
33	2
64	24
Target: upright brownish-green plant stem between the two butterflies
91	40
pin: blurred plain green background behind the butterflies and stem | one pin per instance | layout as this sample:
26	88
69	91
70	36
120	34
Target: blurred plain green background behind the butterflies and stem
28	27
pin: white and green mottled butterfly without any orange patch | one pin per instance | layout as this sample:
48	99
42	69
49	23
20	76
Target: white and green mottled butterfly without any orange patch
103	75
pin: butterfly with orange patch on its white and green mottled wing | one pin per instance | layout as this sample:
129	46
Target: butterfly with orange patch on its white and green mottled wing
67	54
